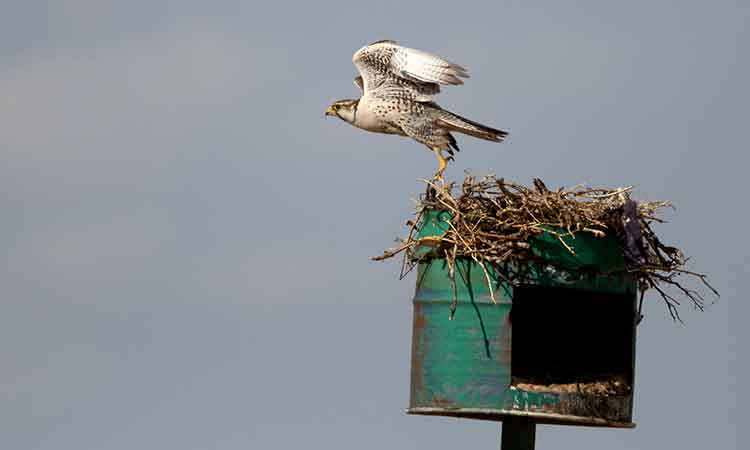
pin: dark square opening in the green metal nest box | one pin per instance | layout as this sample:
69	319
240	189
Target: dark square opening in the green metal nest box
566	338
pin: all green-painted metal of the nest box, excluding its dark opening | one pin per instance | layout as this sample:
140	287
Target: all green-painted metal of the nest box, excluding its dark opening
462	367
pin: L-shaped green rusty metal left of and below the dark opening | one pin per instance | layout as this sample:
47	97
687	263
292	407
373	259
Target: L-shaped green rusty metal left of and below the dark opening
462	367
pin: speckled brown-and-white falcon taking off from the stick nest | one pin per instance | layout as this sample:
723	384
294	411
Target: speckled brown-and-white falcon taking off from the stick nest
397	85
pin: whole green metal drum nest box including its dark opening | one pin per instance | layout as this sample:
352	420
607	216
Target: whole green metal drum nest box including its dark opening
558	348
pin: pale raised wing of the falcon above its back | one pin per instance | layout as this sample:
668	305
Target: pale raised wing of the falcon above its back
388	66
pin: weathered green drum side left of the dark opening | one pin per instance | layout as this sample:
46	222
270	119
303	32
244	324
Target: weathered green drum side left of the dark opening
464	361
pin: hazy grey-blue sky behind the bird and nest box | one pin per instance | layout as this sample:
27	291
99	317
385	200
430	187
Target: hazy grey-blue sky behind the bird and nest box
187	241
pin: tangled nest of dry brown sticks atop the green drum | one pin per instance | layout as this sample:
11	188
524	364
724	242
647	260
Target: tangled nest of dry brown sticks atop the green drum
493	220
